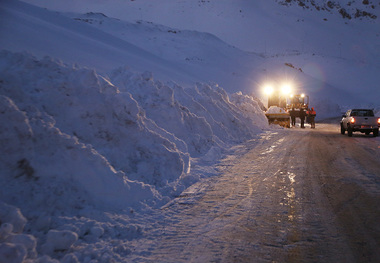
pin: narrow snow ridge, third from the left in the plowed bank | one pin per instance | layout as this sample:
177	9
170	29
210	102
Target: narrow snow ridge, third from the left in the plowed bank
159	104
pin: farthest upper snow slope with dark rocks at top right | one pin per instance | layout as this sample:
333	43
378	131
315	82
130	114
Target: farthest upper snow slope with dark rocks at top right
250	25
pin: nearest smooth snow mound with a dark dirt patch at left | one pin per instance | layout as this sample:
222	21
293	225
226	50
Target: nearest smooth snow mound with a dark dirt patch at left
39	157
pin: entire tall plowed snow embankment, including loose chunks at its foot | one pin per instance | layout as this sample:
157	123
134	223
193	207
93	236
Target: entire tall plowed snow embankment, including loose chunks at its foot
75	143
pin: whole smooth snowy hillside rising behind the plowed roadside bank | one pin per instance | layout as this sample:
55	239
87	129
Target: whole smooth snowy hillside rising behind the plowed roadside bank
340	52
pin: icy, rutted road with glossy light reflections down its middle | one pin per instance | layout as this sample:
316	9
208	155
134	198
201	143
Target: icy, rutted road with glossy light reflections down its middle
293	196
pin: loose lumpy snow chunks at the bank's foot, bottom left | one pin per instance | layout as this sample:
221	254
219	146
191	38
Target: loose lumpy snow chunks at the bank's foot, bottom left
70	236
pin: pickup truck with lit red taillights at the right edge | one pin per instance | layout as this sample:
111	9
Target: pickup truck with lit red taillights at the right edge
360	120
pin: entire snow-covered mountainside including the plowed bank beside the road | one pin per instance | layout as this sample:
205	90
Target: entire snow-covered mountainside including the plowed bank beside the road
113	107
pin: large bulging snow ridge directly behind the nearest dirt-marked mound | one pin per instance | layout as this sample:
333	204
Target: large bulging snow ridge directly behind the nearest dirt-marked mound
91	110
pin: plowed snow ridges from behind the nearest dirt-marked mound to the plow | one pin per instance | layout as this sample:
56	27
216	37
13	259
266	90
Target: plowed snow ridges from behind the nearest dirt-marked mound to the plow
138	126
